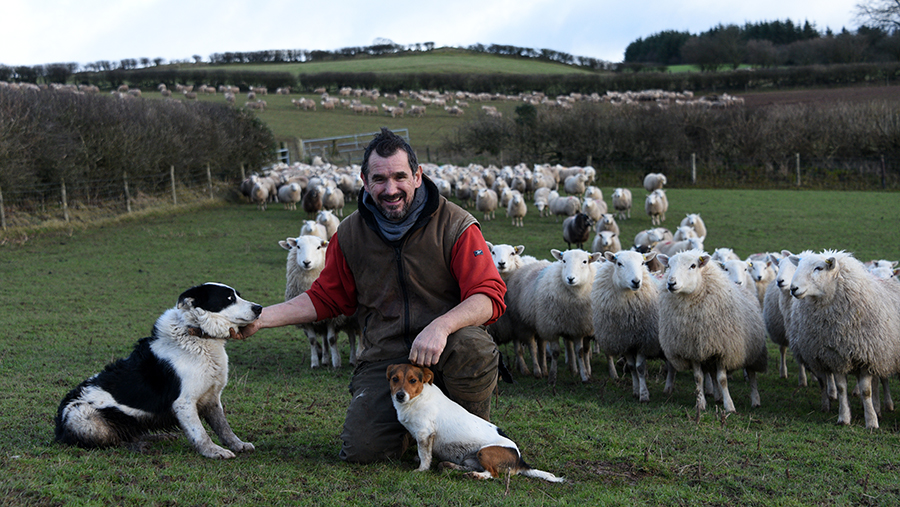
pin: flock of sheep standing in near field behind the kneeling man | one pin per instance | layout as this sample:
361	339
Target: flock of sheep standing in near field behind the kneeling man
663	297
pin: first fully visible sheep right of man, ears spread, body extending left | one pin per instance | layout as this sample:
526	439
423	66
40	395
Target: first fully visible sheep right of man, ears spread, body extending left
552	300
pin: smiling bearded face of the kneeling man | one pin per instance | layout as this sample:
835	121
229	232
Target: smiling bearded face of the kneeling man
392	184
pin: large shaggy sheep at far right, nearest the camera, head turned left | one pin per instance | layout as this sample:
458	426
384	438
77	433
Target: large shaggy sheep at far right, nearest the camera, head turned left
845	321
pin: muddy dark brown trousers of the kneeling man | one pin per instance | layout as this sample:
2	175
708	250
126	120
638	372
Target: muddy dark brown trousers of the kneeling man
466	372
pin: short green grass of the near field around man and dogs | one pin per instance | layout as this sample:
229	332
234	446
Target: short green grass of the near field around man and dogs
75	299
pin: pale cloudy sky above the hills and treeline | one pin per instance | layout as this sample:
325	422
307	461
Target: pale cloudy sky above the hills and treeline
84	31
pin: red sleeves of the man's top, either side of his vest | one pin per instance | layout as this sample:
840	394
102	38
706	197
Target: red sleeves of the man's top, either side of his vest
334	292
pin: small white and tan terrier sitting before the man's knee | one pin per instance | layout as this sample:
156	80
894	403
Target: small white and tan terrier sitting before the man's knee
445	429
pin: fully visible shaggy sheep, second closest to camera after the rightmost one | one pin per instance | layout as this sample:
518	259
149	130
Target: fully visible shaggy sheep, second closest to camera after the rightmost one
706	322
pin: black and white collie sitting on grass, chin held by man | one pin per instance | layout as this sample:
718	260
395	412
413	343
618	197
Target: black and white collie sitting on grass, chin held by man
172	379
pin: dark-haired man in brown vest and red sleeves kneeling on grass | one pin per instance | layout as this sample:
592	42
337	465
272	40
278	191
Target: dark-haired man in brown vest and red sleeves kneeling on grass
422	283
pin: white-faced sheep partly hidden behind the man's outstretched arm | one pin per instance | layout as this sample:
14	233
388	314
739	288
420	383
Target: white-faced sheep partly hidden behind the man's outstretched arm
305	261
